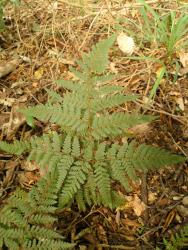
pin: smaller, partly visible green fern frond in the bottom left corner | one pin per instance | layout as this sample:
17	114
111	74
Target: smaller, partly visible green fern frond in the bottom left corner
26	221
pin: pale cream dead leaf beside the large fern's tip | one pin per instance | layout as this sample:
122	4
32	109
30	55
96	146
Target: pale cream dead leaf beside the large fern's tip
126	43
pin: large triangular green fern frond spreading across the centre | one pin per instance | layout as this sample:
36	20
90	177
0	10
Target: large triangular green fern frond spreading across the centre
89	154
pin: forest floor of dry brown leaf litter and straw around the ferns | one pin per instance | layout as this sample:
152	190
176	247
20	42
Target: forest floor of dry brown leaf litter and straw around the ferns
40	41
